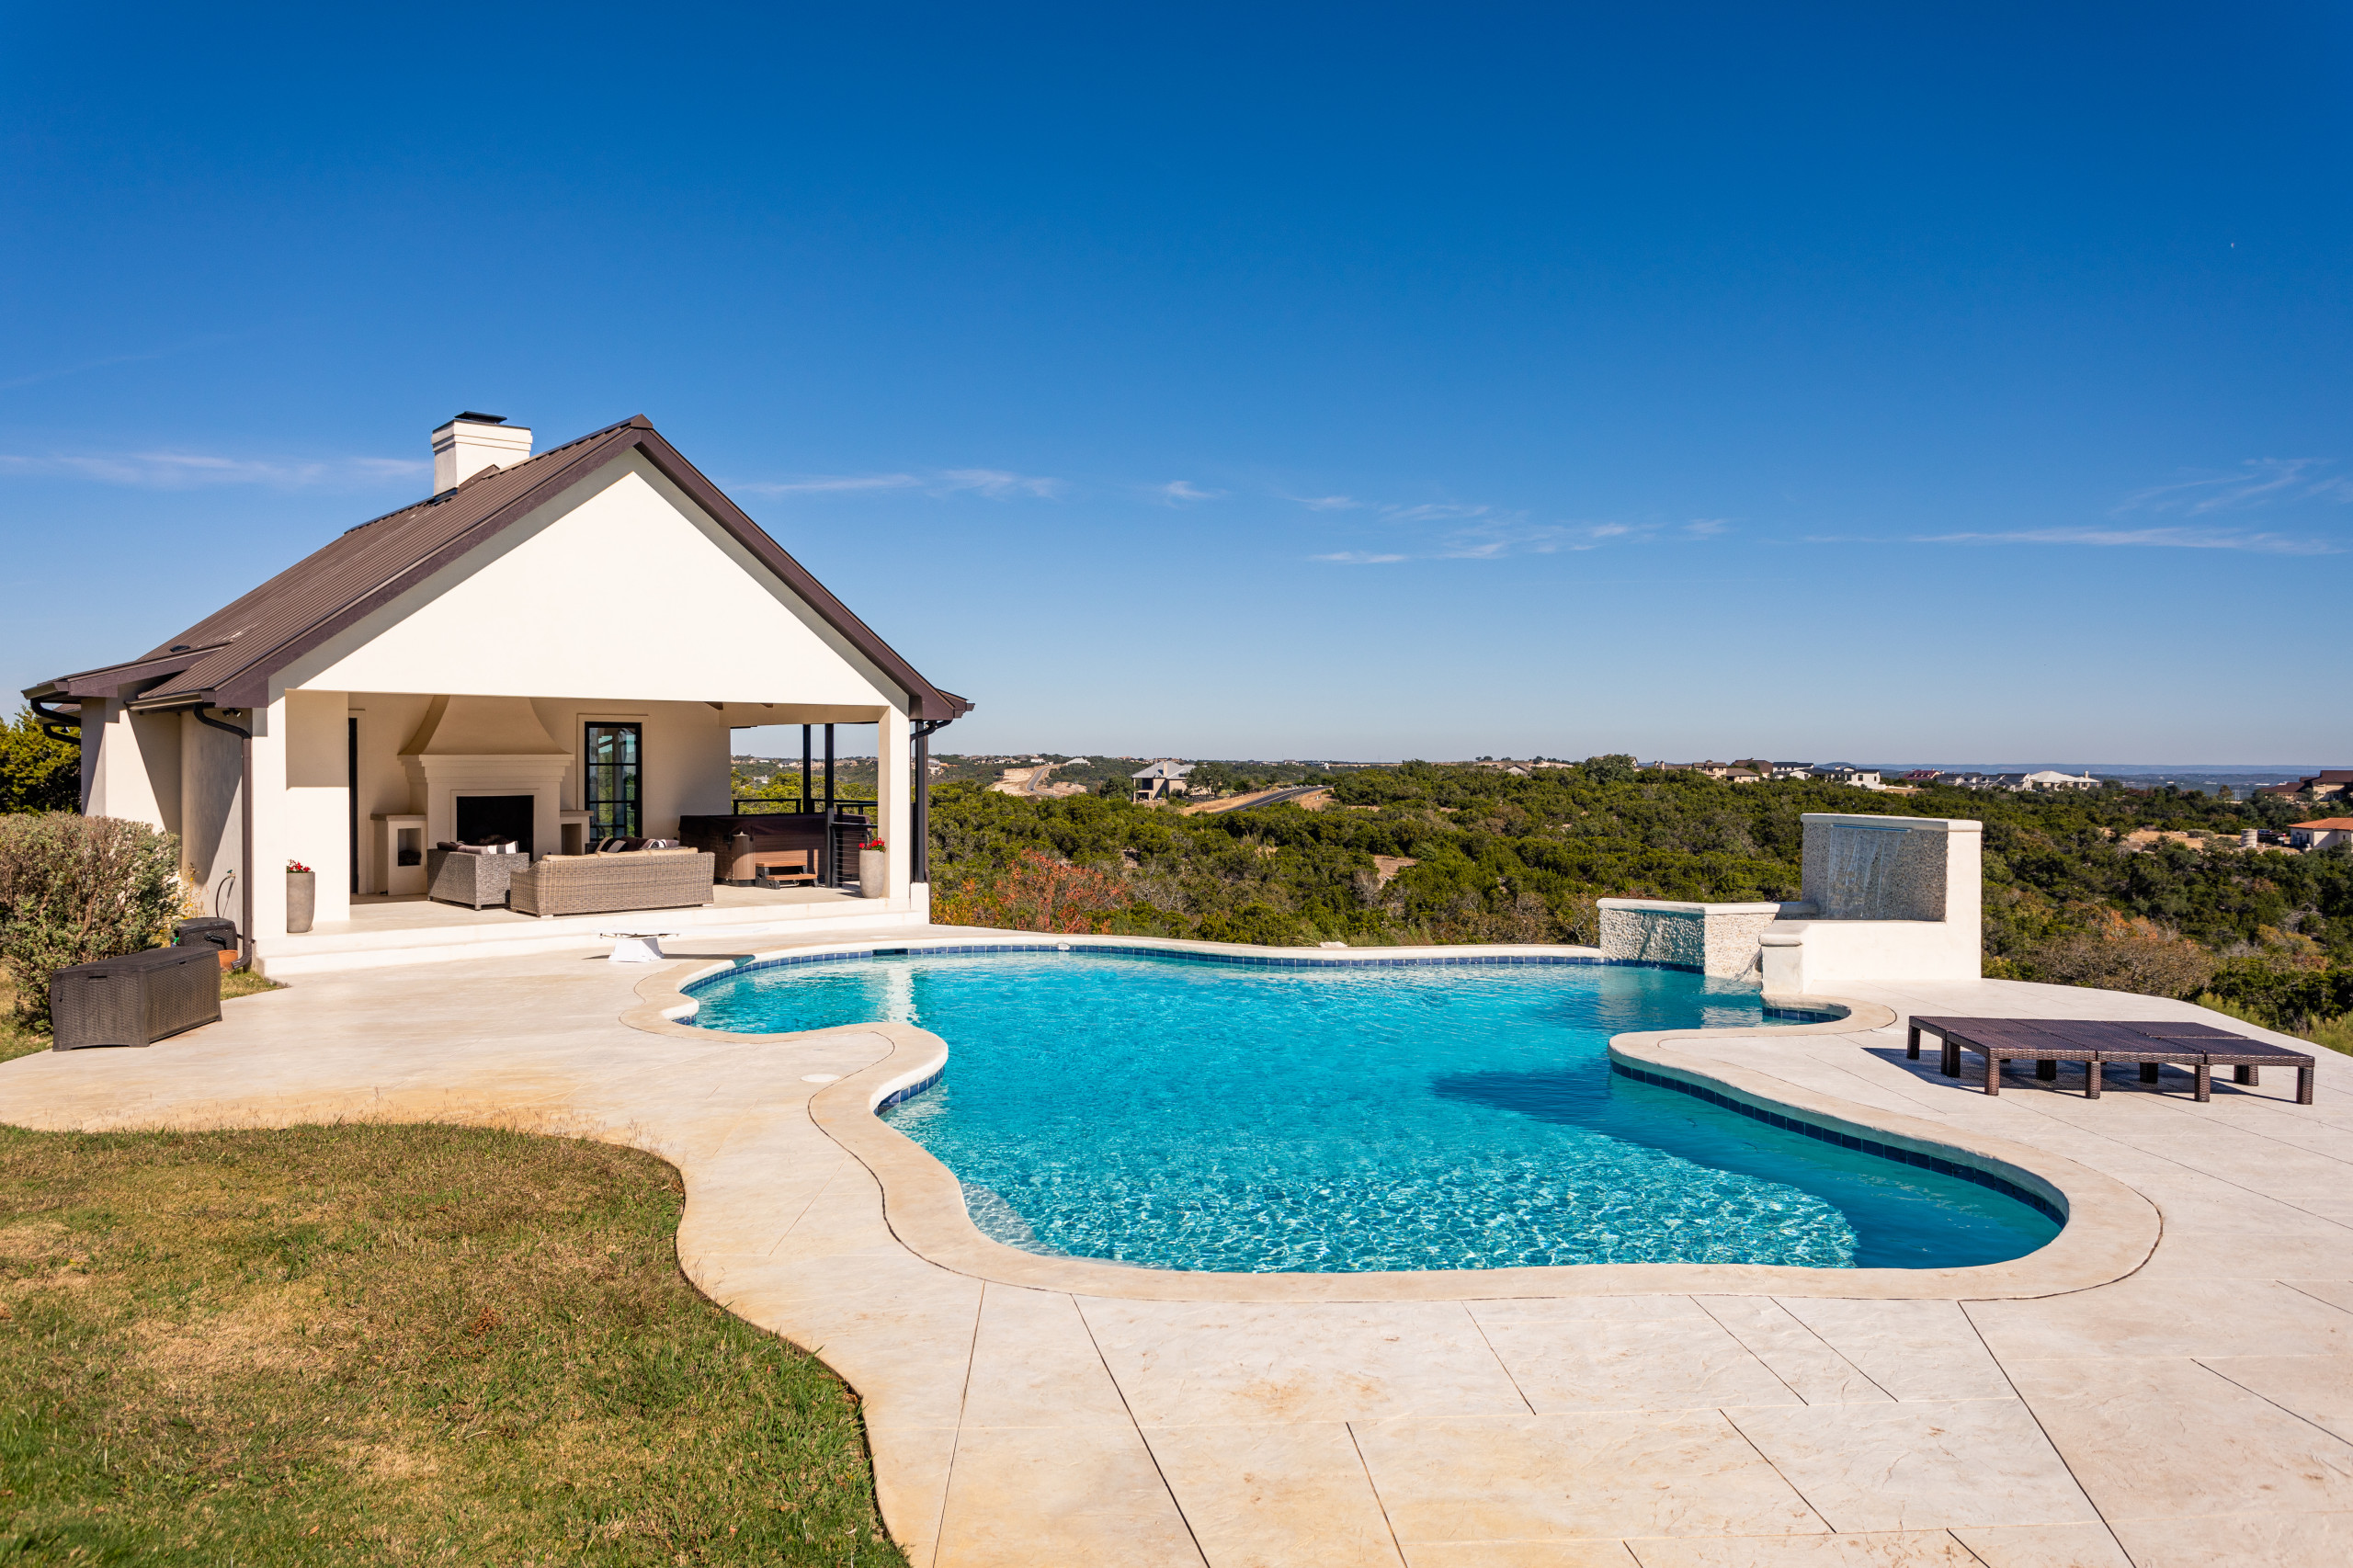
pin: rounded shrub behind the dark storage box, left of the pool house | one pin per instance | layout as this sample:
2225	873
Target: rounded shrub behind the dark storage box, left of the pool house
79	889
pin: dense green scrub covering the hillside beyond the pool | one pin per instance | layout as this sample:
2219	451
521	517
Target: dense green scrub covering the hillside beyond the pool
2079	886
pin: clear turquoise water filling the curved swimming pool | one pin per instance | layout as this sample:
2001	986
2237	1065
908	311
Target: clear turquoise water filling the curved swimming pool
1197	1115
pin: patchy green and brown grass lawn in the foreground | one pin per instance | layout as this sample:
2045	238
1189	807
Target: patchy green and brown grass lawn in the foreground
392	1346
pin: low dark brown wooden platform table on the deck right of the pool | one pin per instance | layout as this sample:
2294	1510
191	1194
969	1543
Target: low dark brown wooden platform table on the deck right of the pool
2098	1042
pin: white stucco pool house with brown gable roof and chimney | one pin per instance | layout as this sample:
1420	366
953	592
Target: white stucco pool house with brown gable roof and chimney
552	649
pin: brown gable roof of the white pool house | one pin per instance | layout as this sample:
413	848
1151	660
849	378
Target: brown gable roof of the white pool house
229	658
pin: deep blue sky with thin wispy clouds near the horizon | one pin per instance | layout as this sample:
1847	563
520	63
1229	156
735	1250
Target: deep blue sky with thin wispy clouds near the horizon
1891	383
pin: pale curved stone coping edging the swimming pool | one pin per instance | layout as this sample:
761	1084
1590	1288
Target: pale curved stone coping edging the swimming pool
2109	1230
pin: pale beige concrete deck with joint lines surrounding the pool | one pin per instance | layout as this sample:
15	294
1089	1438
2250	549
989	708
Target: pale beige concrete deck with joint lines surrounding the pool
2194	1411
